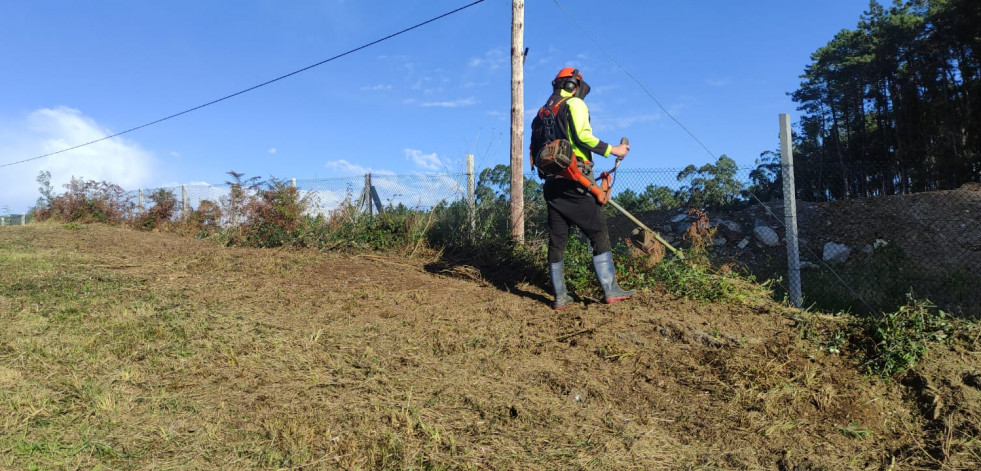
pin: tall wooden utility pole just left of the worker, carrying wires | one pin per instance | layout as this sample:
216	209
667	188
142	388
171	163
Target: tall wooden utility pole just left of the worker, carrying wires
517	120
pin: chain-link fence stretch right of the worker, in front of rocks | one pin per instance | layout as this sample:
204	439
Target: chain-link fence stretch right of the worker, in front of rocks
863	254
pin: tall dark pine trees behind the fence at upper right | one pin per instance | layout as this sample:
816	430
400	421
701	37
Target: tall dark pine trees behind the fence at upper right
893	106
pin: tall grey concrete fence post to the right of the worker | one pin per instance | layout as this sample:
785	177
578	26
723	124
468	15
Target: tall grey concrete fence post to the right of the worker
790	210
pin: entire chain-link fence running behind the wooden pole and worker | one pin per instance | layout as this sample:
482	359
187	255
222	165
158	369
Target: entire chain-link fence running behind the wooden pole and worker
856	254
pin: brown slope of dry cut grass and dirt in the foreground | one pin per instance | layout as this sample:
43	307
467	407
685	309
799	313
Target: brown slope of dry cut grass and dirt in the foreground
307	360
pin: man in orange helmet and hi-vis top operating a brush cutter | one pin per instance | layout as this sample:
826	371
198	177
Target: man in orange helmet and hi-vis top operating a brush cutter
562	143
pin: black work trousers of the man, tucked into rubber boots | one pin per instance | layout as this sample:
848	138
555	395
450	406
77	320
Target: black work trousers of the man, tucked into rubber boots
570	204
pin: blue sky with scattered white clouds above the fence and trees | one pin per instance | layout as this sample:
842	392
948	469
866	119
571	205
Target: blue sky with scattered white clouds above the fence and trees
75	71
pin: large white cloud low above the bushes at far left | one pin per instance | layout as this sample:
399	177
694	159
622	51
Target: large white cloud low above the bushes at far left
119	160
